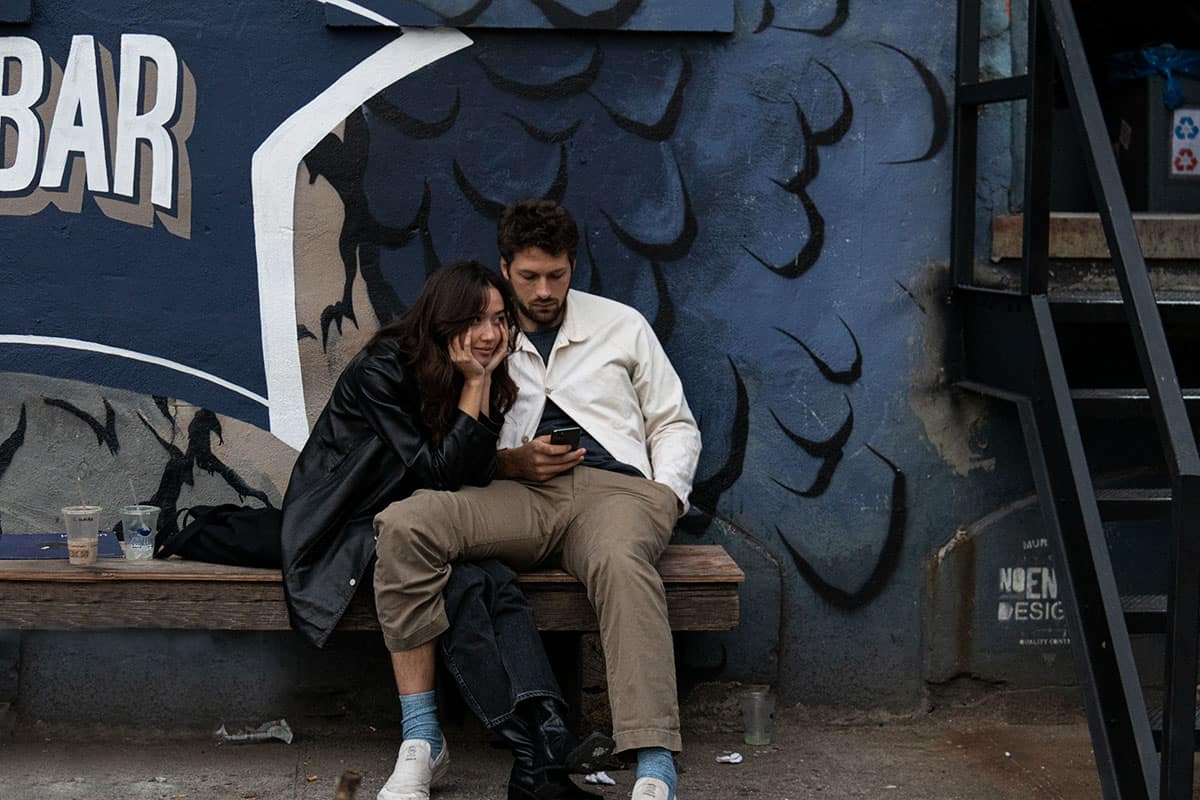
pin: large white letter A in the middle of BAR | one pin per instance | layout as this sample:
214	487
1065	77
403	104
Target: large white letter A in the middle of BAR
80	94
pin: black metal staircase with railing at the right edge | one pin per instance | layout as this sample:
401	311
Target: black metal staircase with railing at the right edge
1012	350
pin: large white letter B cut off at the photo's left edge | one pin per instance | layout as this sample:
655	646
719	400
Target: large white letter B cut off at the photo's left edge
19	109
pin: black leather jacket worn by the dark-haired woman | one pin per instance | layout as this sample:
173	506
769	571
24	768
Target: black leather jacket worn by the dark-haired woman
368	449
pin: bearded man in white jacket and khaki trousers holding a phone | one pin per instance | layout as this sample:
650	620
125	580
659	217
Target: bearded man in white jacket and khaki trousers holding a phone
607	509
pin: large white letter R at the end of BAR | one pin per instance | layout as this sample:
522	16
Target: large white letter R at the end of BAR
151	127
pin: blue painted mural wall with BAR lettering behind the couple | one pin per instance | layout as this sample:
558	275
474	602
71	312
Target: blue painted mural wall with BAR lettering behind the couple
205	213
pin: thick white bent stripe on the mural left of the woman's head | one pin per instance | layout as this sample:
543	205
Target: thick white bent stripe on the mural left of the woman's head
273	181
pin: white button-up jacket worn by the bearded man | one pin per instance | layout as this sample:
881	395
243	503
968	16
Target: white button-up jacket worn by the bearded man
609	372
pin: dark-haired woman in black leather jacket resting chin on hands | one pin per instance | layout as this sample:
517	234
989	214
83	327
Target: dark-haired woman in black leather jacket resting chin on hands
422	407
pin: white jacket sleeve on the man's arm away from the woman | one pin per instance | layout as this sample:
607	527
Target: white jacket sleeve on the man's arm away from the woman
673	436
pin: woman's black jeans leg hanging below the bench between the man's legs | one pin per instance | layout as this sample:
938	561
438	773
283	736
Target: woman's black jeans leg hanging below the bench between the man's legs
494	649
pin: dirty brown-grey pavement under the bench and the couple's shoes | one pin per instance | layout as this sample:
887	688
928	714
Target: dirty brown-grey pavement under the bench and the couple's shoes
968	754
